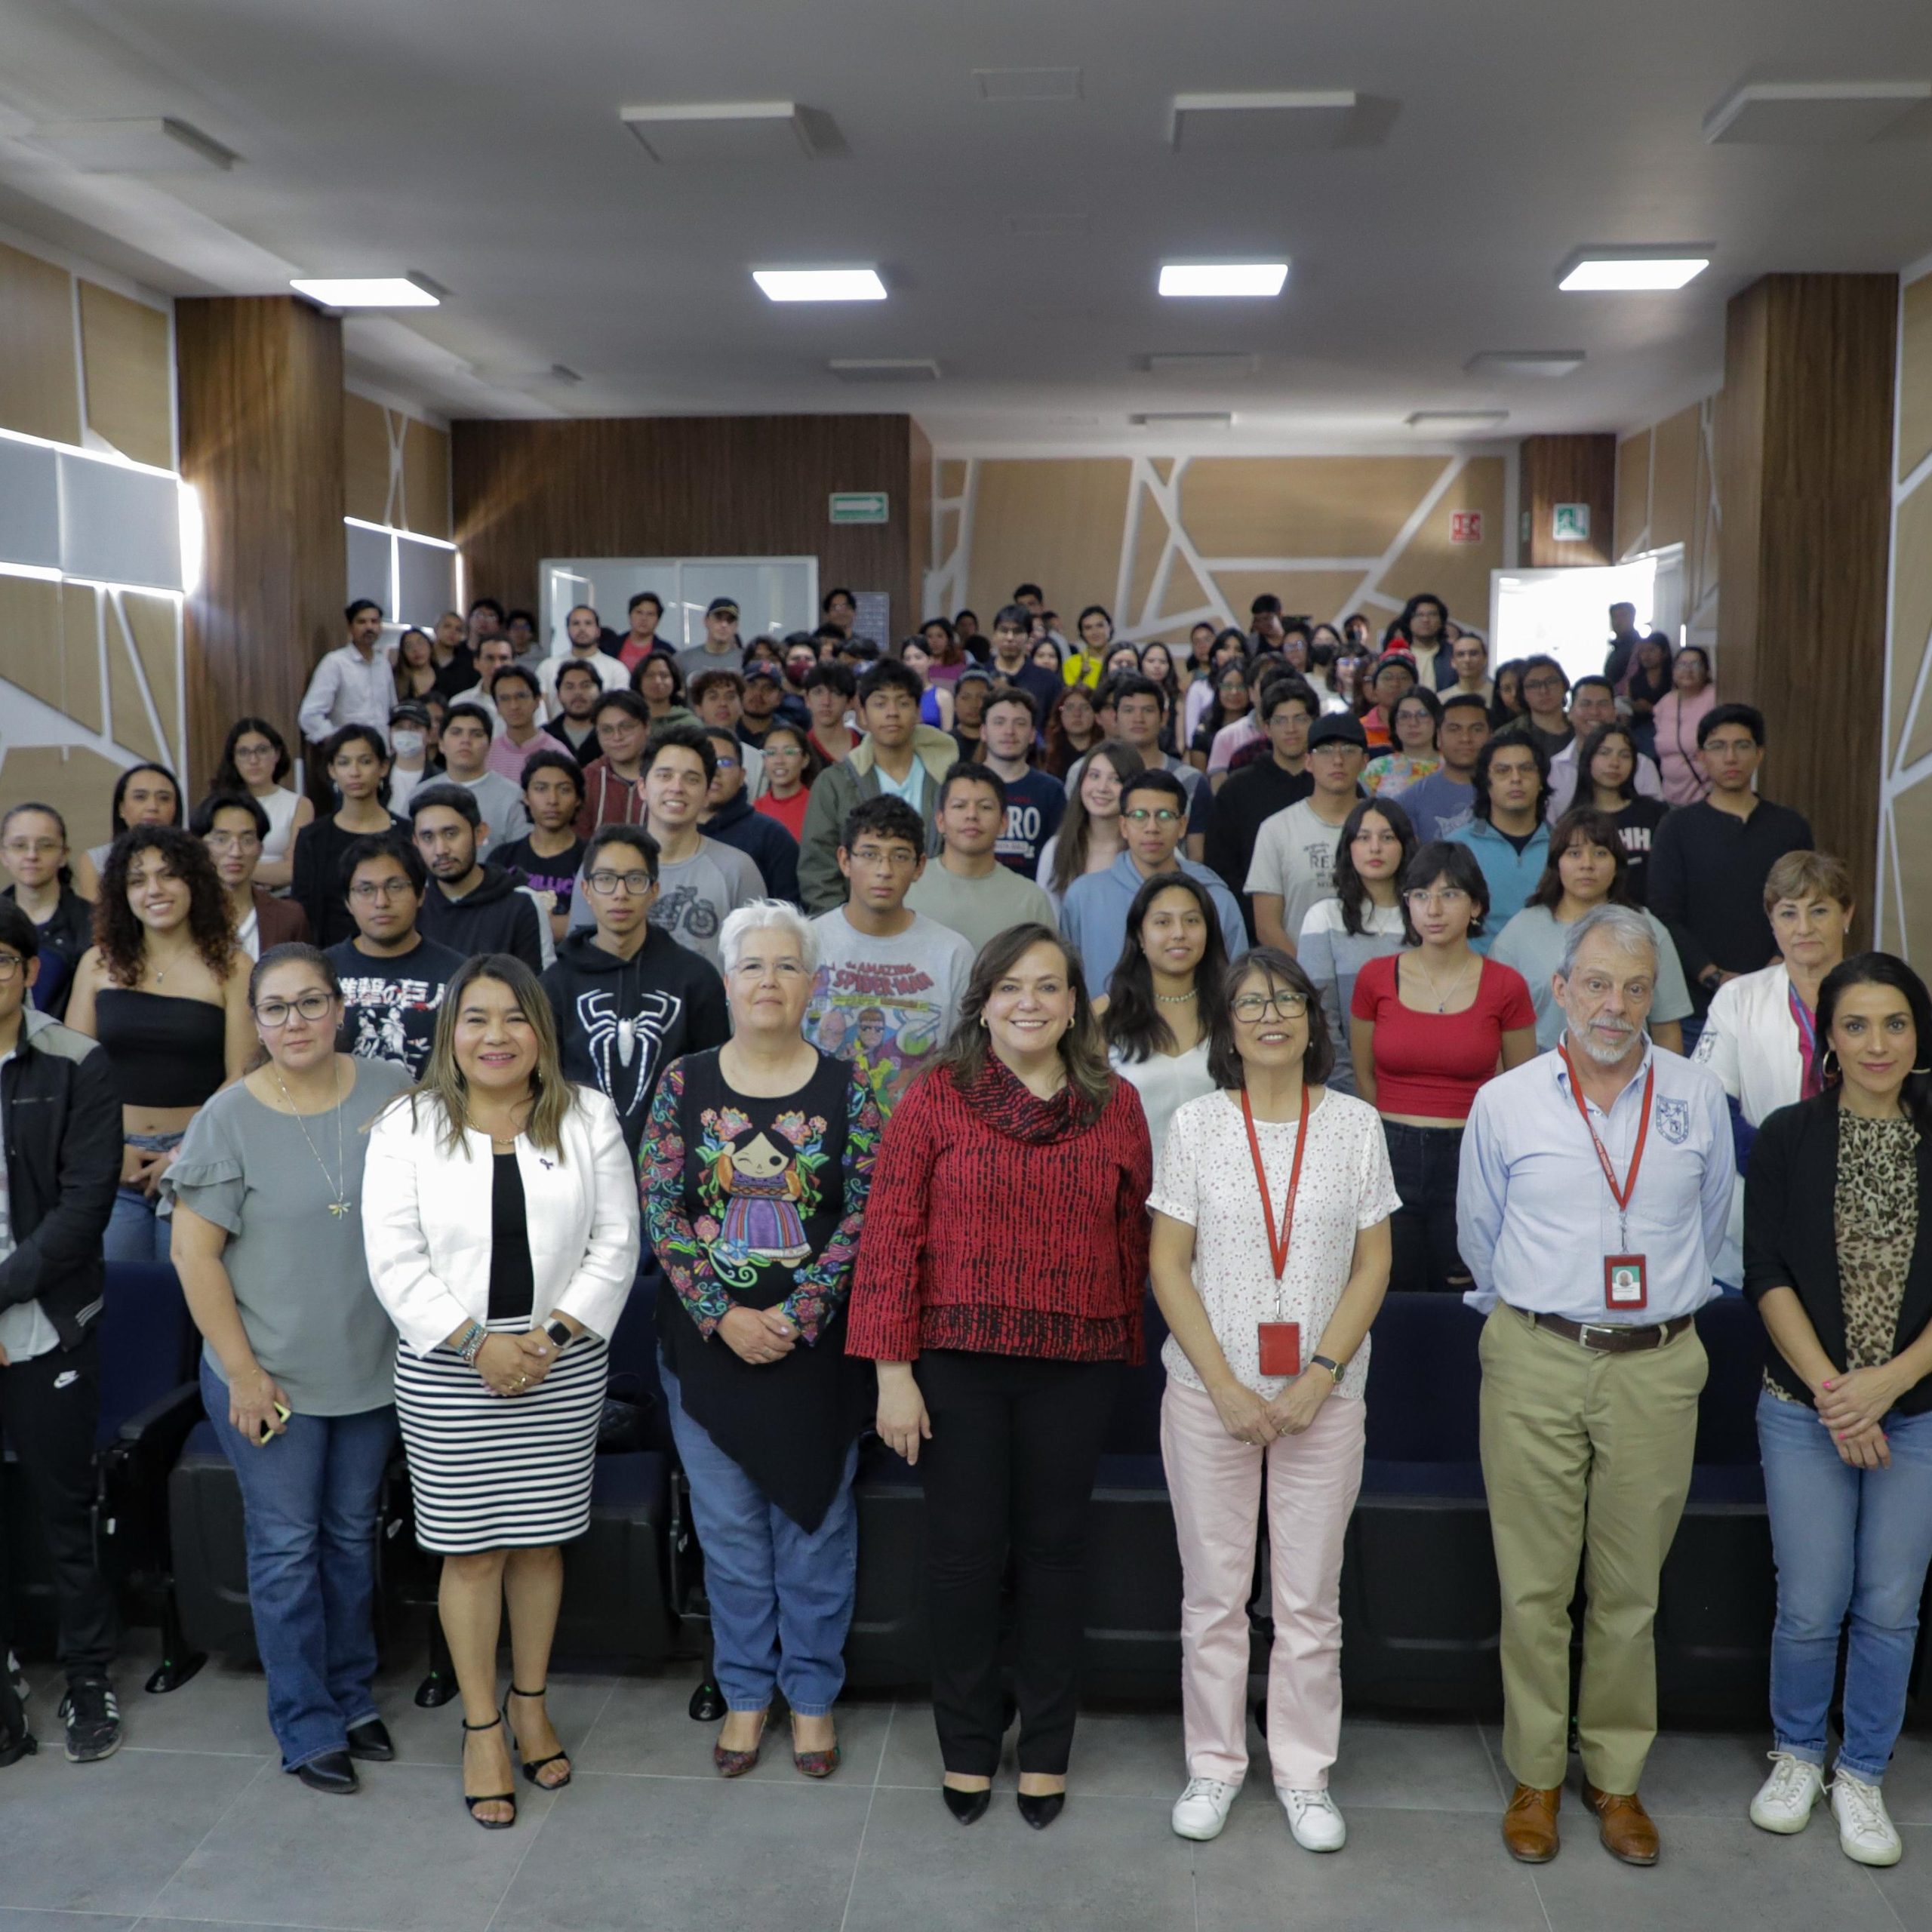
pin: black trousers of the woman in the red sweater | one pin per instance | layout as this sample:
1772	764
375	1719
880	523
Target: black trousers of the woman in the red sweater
1011	1467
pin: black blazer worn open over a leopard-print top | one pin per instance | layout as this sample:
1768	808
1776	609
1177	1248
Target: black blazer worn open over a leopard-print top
1792	1237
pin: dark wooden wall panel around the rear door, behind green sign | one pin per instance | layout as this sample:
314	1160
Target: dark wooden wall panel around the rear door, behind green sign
683	486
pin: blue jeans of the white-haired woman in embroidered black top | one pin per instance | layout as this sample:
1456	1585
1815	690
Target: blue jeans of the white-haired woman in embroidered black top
781	1601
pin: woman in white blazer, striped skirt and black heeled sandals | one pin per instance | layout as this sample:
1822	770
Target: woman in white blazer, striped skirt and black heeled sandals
501	1228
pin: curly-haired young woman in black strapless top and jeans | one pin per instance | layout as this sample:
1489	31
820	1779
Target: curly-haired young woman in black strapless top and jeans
165	992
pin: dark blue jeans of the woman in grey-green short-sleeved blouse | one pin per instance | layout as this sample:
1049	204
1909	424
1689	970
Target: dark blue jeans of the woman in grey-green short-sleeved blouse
310	1514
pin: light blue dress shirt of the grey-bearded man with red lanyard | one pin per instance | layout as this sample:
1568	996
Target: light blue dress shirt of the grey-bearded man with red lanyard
1535	1216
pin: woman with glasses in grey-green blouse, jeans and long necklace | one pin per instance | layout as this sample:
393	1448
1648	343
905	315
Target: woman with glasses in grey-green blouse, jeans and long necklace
297	1361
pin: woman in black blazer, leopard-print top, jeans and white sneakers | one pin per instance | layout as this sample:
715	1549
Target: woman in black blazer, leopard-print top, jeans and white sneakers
1838	1266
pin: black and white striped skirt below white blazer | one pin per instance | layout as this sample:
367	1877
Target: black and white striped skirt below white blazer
501	1471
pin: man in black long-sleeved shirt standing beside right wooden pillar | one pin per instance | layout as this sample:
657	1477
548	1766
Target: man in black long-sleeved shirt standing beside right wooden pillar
1709	861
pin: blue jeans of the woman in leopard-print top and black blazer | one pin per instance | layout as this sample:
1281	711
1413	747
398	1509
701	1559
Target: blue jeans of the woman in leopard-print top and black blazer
1848	1543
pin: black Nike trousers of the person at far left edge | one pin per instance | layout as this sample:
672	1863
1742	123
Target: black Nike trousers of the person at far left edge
51	1409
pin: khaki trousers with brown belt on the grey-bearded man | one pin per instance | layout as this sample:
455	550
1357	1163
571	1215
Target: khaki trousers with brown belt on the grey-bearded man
1585	1456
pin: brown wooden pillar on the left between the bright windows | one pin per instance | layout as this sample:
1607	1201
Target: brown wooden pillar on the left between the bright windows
262	441
